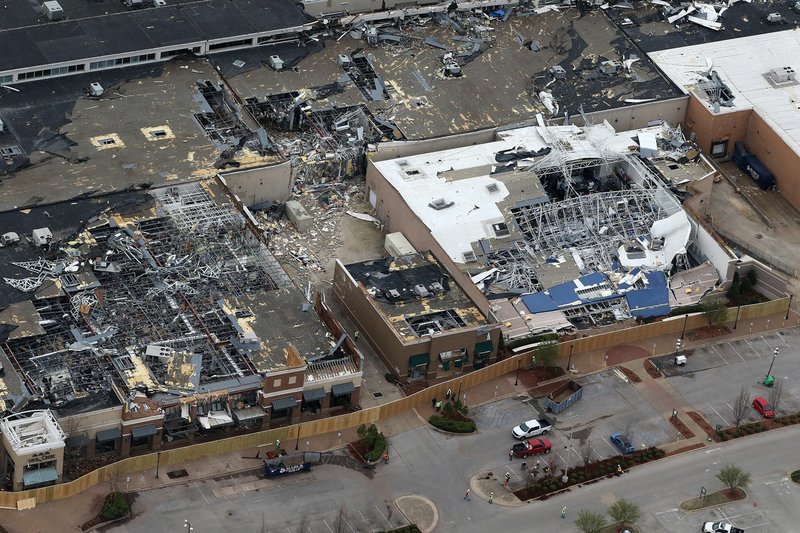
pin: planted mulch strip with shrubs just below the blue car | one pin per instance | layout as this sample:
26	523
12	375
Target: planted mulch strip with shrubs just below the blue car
590	472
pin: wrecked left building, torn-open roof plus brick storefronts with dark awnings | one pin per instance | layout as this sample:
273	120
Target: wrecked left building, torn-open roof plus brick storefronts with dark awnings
155	317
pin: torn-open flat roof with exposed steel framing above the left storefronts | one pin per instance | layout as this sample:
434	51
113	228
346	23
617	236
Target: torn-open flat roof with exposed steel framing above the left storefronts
165	291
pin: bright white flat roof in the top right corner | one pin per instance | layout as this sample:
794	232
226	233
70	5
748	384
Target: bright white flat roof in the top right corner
744	65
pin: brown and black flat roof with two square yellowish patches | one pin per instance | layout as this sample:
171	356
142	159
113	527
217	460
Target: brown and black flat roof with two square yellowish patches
145	130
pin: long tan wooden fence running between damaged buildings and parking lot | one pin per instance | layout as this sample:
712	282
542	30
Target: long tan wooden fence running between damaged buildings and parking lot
375	414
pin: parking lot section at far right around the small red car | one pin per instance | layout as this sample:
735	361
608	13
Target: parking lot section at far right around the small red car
713	376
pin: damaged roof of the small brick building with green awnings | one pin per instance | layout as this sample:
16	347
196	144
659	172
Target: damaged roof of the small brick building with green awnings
416	296
